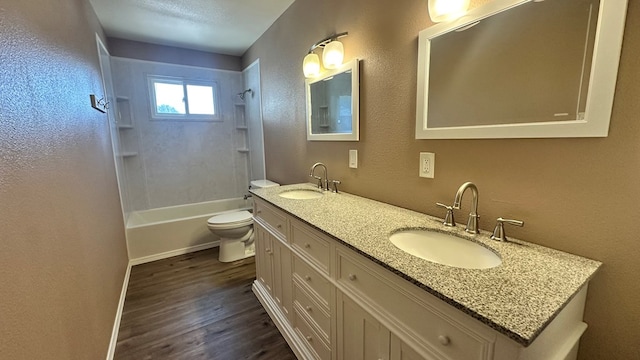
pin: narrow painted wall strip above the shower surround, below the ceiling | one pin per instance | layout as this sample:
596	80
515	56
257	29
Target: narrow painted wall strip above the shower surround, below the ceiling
173	55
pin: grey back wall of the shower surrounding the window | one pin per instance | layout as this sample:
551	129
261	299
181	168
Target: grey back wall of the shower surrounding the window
176	162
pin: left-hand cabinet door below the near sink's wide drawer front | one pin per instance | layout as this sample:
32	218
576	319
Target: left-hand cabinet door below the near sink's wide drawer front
360	336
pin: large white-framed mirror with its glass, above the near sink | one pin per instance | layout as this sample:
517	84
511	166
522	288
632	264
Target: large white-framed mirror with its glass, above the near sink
521	69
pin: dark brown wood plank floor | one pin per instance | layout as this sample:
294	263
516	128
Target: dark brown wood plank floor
194	307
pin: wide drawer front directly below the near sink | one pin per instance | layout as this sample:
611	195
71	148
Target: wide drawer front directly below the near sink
437	332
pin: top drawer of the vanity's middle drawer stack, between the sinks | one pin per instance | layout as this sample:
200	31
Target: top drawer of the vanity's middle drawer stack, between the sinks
312	246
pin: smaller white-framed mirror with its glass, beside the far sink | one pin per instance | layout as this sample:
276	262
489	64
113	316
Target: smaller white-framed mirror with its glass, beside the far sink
333	104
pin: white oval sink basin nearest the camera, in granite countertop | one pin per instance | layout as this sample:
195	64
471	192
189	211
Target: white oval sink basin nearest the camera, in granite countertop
445	249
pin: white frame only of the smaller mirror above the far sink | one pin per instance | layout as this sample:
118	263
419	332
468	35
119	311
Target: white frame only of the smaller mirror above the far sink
355	104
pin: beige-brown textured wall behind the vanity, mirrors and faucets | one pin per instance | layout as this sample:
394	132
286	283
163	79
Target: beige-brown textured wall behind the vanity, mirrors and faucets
577	195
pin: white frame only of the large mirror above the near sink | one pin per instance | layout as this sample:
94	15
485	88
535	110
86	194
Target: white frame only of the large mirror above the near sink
604	70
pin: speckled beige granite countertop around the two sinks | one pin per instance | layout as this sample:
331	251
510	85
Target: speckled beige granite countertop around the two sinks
518	298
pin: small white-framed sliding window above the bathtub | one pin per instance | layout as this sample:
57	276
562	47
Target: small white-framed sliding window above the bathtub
177	98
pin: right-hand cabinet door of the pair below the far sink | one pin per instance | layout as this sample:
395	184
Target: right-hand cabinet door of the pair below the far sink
282	283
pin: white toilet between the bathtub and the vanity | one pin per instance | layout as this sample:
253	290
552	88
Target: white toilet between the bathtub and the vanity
235	230
